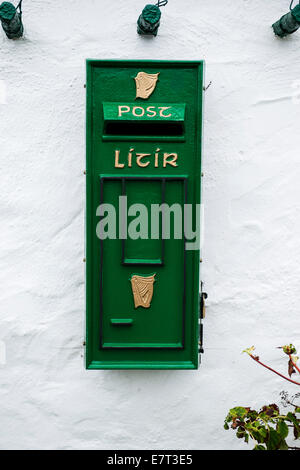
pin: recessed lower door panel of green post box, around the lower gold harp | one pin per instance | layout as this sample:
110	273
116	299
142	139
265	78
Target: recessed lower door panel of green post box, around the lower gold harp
160	326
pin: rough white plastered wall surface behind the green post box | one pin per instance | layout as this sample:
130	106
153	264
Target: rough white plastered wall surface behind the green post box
251	253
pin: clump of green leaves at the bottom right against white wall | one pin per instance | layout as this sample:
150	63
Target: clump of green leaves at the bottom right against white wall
268	428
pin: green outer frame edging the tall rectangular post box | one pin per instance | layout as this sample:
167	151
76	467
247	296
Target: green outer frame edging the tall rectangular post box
91	363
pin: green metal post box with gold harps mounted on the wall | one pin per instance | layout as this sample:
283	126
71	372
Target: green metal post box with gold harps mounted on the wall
144	133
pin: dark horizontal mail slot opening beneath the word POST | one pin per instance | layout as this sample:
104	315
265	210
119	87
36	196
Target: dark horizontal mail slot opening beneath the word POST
144	128
